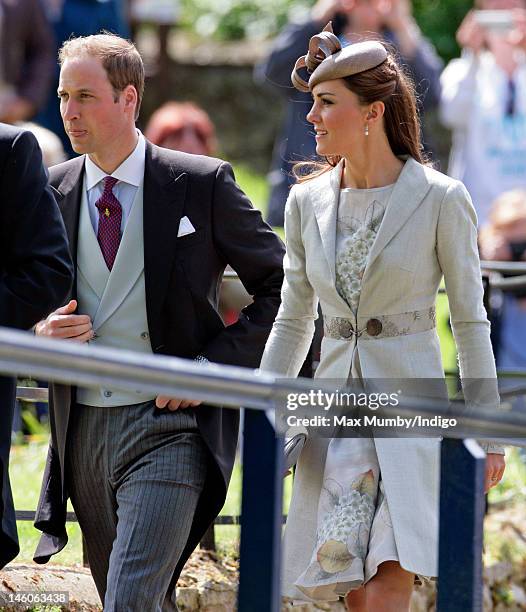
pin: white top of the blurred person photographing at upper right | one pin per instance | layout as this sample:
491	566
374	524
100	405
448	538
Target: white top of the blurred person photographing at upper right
489	146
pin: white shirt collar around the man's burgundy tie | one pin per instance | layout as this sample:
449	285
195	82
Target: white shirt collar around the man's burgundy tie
130	175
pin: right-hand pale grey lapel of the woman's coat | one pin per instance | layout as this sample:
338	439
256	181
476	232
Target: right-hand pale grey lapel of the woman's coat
408	192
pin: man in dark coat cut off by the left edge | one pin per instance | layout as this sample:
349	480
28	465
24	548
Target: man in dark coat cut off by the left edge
35	276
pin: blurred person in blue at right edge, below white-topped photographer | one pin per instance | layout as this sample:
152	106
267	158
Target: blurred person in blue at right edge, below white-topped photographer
503	238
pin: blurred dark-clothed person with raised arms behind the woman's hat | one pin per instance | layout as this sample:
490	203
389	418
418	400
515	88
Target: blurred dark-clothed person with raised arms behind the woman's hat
353	20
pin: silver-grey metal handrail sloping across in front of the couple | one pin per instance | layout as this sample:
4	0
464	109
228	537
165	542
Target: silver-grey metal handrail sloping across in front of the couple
68	362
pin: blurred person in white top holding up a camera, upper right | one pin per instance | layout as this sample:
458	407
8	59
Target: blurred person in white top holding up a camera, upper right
484	104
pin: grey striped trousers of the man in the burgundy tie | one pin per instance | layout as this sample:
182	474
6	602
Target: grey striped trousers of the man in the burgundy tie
134	476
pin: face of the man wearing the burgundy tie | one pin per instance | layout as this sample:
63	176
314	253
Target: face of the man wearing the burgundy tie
94	118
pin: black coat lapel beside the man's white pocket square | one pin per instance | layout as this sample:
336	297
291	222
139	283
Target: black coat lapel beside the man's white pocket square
164	197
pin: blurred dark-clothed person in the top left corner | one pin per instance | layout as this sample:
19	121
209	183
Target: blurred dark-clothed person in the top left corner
27	59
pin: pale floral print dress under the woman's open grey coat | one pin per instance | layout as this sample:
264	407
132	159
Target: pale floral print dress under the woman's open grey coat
354	532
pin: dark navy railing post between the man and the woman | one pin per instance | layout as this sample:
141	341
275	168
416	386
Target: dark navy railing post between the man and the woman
261	516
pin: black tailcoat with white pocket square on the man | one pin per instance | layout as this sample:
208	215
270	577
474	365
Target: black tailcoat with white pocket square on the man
182	280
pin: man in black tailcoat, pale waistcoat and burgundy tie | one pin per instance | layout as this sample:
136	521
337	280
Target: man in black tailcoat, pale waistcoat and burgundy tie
151	231
